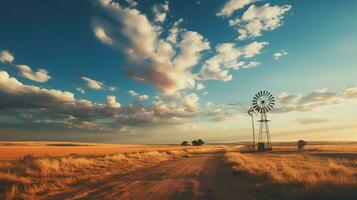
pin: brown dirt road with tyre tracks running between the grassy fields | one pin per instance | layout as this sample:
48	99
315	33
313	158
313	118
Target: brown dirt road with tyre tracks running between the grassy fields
201	176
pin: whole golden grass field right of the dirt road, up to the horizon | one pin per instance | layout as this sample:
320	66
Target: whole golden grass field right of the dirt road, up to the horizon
310	174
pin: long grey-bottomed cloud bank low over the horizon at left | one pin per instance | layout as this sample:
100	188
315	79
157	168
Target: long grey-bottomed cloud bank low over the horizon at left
59	110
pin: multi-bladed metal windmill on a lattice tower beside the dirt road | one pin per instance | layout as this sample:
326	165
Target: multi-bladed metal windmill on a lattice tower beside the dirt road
263	102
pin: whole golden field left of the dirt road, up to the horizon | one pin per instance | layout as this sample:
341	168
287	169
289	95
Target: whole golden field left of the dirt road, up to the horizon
49	167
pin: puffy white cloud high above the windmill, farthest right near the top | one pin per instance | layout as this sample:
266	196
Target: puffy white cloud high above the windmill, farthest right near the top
259	18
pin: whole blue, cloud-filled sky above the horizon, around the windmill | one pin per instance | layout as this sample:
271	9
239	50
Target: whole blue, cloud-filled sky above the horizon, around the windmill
138	71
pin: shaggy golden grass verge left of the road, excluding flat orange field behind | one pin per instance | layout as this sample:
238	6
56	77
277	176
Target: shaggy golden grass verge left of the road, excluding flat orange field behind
32	176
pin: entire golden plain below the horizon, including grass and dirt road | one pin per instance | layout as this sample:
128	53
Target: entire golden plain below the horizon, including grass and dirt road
87	171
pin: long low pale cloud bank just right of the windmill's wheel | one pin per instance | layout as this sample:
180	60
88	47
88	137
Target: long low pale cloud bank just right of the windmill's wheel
319	98
